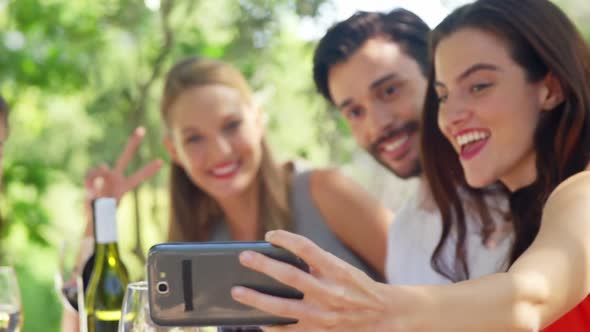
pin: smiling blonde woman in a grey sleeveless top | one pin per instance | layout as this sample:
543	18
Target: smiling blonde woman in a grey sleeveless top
225	185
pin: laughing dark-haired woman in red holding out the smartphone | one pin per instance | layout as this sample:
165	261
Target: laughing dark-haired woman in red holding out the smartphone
509	102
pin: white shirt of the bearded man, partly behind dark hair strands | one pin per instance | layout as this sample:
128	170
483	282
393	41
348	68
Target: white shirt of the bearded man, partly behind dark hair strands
415	233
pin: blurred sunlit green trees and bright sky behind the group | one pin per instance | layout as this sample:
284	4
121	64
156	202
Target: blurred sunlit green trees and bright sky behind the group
80	75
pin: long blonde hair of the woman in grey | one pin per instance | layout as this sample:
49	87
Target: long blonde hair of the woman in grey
192	211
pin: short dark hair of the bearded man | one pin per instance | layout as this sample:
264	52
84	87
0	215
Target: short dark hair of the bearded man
344	38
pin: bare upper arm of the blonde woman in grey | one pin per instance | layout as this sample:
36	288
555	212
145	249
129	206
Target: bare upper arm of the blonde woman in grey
358	219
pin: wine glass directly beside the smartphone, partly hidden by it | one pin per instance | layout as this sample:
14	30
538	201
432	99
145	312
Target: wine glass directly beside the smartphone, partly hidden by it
135	314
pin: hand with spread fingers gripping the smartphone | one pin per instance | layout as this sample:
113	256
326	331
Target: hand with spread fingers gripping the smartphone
338	297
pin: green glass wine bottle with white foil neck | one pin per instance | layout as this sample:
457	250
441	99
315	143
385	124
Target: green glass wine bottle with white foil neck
106	290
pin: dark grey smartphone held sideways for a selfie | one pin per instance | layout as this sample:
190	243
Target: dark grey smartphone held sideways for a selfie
189	284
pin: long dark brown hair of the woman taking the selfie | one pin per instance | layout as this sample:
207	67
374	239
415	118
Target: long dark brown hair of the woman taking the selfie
541	40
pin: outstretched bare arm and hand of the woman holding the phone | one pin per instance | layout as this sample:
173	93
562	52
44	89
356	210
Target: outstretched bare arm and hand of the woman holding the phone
549	279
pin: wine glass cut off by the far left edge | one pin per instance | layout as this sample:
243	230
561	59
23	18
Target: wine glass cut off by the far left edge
10	306
